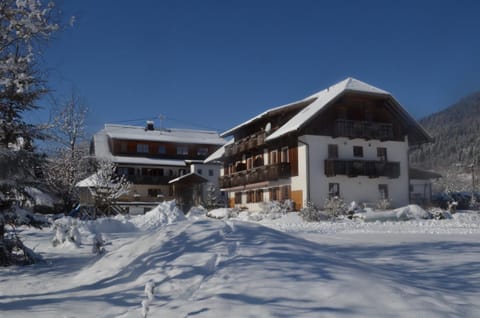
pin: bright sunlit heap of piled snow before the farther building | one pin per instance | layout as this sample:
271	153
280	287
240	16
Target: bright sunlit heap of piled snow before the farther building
165	213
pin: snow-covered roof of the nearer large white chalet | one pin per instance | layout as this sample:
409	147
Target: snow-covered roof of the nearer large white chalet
322	99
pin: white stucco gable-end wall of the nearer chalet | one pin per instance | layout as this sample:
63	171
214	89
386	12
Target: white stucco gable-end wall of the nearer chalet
359	189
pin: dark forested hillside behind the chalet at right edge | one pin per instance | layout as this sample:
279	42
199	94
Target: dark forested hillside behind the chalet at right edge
457	137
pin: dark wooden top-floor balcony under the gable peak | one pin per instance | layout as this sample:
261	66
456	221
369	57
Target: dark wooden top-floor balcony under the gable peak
363	129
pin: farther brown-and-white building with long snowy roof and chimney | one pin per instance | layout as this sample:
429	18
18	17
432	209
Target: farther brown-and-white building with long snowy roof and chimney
150	158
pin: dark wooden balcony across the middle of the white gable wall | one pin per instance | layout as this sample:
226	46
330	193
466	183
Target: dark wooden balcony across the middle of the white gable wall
354	168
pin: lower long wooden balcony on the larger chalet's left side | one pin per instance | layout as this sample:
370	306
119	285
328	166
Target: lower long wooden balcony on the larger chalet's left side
258	174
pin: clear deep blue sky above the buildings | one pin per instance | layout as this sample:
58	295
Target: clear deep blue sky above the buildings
213	64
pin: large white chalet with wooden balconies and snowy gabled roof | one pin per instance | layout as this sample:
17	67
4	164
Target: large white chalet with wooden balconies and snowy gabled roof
349	140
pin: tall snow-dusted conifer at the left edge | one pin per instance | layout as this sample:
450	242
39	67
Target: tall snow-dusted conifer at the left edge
24	26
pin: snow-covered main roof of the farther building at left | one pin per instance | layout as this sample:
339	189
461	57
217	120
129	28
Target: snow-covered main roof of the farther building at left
126	132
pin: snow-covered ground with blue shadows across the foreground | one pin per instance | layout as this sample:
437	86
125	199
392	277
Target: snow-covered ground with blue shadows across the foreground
273	267
